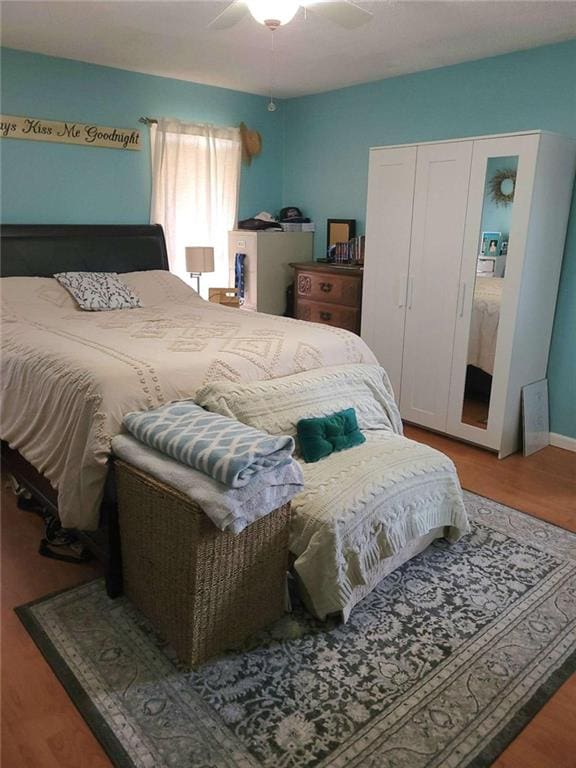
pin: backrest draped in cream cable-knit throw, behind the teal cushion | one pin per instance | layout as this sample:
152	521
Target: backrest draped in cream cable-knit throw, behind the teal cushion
277	405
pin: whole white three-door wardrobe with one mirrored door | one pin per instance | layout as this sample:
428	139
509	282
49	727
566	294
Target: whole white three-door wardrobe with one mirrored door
459	342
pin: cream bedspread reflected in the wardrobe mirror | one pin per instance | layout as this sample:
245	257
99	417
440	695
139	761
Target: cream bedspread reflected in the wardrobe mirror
484	322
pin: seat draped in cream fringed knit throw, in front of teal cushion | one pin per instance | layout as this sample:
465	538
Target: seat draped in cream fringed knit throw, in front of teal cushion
364	505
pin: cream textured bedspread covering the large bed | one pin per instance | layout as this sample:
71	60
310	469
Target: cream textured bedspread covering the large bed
68	376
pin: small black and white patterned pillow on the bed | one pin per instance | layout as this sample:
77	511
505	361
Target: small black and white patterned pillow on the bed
98	291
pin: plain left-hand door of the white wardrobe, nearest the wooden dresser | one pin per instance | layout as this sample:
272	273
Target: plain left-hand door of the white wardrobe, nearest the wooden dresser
388	227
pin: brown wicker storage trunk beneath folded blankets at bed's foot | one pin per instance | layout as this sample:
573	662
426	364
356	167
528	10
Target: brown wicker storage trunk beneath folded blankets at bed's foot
204	590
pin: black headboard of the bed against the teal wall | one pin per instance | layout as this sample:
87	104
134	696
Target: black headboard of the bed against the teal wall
40	250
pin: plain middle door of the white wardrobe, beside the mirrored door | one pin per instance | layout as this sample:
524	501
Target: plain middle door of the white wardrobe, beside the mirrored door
439	215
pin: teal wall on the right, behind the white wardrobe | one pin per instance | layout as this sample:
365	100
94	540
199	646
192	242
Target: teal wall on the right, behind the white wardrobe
328	137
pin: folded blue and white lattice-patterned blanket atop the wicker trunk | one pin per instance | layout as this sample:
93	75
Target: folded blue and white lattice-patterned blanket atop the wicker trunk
225	449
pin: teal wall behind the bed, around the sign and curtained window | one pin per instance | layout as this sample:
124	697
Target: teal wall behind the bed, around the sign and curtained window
64	183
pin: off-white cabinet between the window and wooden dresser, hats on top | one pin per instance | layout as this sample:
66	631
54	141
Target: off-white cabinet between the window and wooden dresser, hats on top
267	271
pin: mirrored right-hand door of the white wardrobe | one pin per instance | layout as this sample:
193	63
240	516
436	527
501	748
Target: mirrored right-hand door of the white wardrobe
500	200
